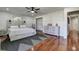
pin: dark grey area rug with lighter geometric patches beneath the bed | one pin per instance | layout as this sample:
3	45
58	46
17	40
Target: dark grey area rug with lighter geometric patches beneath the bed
22	44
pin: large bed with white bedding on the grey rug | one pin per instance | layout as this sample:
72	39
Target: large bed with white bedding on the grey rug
16	33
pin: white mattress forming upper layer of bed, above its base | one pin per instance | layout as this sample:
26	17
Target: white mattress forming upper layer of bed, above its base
19	31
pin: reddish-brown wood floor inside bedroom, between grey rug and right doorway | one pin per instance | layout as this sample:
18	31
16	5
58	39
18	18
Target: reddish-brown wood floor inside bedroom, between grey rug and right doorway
51	44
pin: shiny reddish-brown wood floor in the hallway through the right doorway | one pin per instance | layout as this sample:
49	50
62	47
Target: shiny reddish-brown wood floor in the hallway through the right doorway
73	41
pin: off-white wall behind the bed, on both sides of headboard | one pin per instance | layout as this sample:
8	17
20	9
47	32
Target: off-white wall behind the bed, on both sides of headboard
4	17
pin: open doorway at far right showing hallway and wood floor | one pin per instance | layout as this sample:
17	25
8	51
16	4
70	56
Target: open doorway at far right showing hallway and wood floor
73	32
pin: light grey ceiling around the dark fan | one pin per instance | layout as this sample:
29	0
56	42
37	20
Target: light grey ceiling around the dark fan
22	11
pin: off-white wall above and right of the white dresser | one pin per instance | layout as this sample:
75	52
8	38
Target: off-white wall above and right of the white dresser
56	17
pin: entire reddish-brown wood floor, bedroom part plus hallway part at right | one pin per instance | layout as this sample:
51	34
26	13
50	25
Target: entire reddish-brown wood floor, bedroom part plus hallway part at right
53	43
